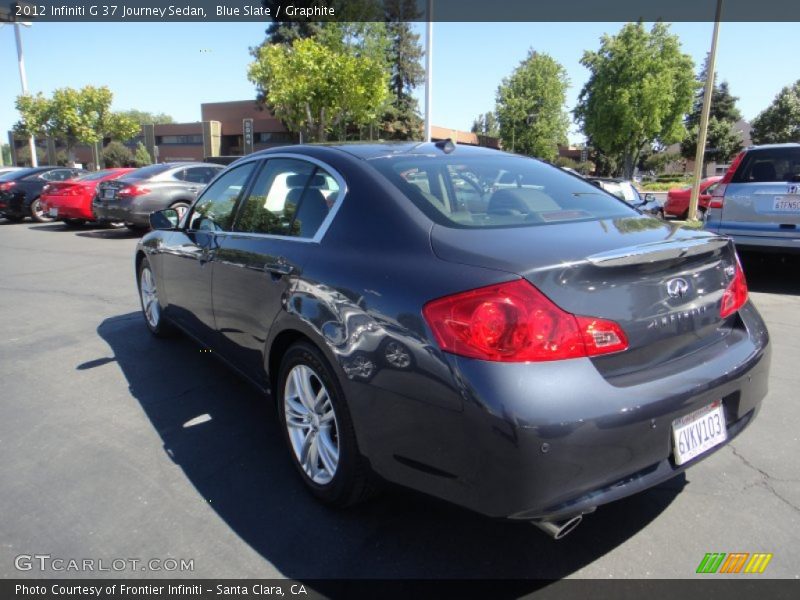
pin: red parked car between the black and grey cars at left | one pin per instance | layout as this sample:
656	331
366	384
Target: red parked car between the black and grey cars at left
71	201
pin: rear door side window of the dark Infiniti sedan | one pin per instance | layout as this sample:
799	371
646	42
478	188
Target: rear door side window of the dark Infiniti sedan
290	198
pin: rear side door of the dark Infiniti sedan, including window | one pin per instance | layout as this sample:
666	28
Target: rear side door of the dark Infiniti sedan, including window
279	224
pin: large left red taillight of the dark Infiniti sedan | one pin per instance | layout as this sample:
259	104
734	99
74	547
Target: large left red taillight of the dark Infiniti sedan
515	322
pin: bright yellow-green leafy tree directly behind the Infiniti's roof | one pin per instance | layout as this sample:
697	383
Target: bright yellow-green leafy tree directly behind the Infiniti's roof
314	88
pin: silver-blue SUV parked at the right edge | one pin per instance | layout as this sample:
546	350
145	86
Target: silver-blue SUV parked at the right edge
757	202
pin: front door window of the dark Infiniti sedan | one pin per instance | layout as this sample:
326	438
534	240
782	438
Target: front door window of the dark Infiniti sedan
214	210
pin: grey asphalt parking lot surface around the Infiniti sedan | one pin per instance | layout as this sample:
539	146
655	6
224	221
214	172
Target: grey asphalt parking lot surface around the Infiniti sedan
118	445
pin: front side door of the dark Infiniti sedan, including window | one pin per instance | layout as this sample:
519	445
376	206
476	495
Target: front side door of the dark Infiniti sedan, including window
188	255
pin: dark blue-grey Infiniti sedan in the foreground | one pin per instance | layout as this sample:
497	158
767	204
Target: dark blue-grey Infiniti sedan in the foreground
532	353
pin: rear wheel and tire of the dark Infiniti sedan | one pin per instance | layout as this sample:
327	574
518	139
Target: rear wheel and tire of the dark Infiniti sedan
322	431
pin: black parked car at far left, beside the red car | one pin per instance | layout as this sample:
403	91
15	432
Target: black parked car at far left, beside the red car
20	191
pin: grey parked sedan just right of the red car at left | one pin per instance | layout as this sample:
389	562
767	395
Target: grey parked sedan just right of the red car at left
132	197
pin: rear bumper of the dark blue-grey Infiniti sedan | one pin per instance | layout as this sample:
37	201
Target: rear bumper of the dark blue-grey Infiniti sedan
550	440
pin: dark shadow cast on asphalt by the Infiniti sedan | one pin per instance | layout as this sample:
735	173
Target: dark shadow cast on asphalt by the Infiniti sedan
225	437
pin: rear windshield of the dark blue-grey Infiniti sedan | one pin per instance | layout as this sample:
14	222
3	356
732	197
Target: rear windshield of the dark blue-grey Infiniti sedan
496	191
